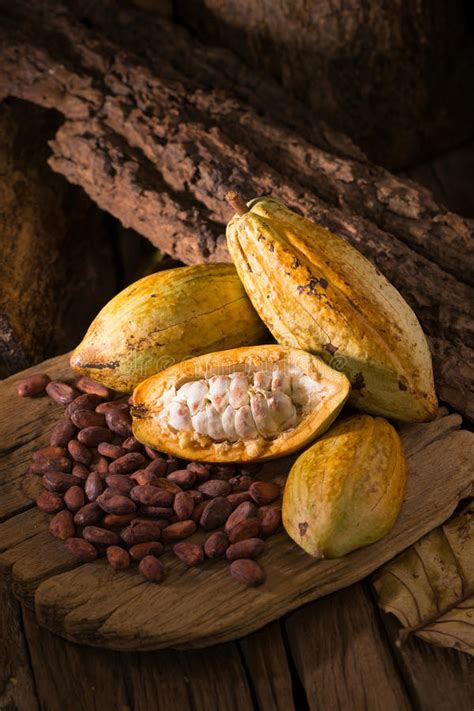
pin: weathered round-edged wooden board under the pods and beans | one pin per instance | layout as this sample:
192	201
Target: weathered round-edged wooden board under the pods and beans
92	604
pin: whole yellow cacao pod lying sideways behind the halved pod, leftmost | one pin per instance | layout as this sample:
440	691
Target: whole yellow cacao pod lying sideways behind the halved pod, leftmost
164	318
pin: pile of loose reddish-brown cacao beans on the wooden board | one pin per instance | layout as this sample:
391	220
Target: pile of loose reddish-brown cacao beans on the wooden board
109	494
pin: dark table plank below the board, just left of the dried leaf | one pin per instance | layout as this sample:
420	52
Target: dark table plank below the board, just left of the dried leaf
342	658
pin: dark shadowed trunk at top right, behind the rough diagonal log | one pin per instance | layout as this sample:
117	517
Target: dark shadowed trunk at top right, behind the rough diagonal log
396	76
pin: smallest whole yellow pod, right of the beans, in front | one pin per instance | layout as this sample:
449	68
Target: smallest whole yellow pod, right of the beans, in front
346	490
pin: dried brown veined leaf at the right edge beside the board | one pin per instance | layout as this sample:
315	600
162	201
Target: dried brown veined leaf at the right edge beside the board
430	586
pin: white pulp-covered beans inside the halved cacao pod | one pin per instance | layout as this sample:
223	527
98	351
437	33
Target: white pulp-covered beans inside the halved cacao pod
241	405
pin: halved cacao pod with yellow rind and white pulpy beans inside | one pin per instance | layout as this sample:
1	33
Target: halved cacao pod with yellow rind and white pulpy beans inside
245	404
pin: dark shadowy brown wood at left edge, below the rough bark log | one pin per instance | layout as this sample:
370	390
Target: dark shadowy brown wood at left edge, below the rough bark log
55	267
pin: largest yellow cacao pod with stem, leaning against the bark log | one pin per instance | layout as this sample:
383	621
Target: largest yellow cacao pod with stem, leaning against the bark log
316	292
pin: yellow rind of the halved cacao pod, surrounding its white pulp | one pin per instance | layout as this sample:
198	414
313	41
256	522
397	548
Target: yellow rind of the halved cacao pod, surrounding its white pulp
146	409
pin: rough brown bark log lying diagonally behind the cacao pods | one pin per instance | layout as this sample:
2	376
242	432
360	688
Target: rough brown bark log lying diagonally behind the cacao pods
157	128
